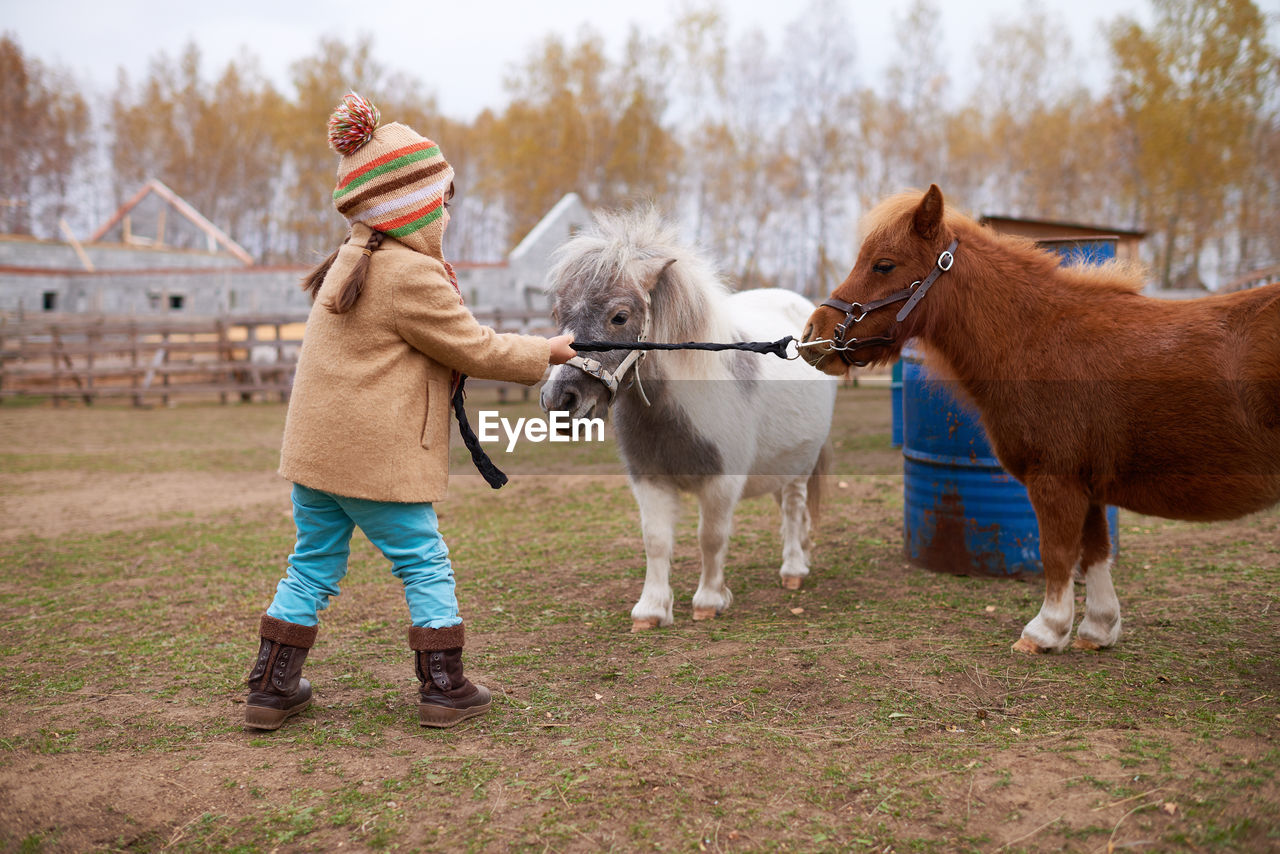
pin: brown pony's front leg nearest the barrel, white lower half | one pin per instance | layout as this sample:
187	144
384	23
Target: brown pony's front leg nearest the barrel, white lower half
1060	509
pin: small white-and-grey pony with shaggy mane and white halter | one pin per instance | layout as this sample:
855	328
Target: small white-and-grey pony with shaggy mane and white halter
721	426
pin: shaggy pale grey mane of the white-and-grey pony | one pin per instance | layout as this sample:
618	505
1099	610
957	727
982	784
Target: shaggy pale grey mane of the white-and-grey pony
624	250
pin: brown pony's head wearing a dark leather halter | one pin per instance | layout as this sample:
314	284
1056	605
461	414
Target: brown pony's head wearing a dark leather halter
906	236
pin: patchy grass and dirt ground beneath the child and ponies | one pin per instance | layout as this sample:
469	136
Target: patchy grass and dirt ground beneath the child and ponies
876	710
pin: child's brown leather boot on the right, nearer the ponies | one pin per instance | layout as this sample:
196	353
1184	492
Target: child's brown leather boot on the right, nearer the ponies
446	697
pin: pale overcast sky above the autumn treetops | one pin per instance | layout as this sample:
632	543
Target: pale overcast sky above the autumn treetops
461	51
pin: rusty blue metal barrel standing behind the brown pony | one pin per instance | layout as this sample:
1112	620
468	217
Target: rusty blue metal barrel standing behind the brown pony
964	514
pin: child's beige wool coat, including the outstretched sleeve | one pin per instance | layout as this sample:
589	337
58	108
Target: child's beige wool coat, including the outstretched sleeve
369	415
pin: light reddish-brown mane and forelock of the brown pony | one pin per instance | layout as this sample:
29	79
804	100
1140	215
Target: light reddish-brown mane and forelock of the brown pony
892	220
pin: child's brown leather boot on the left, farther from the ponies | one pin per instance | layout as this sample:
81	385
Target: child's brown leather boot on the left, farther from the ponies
276	687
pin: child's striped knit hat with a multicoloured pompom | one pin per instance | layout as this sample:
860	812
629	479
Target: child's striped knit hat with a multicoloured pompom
390	177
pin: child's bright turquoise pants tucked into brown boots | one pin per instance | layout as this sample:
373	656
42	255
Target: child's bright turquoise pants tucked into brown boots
406	535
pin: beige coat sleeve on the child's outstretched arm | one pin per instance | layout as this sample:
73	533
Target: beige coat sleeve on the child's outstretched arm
431	317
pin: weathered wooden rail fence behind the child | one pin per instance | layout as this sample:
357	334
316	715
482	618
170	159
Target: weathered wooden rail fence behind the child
144	359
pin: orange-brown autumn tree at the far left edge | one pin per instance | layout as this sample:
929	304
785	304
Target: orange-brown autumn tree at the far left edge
44	139
